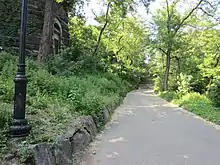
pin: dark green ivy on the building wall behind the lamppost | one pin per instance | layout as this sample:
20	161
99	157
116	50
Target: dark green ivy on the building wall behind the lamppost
10	12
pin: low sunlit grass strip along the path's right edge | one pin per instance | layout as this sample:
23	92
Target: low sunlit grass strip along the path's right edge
195	103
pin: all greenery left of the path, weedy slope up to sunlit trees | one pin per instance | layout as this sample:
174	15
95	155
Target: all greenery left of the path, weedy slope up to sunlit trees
102	63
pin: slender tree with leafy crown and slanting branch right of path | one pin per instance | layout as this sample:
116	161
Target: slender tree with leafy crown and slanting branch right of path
168	23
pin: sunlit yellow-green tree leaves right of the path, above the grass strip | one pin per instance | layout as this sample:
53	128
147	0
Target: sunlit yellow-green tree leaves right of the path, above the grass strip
194	51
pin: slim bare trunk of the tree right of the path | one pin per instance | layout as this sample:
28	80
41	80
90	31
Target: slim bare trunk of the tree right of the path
167	70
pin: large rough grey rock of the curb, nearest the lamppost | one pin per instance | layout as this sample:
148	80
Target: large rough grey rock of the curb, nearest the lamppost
78	137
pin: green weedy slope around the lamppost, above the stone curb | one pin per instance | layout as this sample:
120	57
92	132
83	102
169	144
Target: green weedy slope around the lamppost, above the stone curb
54	101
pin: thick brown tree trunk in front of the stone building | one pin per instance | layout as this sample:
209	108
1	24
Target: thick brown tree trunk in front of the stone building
47	32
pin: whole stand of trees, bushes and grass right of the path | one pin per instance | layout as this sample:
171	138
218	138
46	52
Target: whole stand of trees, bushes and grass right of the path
185	58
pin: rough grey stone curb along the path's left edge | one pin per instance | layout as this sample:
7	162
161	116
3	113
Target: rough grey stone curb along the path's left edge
79	135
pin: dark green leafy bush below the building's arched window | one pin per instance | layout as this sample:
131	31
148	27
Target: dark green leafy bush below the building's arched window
66	64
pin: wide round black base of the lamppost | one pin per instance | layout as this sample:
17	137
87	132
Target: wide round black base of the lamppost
20	128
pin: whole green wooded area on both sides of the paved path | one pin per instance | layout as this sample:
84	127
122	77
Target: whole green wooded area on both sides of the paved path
98	64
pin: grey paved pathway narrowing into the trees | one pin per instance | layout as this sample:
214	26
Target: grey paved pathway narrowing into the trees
146	130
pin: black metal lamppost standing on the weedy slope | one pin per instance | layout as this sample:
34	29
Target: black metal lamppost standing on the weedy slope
20	127
